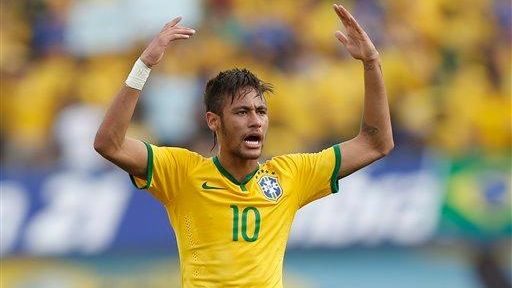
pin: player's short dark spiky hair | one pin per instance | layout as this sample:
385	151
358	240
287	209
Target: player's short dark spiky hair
228	84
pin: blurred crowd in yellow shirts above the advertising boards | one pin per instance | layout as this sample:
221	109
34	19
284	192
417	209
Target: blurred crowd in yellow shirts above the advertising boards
447	67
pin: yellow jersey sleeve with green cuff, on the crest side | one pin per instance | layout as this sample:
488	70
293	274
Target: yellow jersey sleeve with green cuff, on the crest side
315	174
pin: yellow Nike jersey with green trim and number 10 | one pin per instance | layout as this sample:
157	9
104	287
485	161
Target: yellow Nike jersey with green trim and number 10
231	233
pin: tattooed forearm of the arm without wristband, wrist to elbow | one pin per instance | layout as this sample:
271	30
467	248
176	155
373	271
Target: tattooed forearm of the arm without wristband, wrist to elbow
376	122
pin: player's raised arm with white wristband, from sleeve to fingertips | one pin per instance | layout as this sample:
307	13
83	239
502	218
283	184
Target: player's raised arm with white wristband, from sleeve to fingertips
111	141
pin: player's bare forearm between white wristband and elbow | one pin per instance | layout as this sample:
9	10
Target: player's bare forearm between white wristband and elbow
112	132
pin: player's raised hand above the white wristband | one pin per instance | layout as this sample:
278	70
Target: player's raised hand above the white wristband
156	48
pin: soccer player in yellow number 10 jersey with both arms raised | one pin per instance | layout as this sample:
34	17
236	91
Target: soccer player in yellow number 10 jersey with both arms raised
231	214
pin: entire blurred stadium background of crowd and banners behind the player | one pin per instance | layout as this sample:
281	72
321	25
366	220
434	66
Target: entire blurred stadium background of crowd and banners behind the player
435	213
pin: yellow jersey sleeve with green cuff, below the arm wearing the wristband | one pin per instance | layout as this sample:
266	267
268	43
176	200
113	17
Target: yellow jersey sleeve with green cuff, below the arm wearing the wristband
167	169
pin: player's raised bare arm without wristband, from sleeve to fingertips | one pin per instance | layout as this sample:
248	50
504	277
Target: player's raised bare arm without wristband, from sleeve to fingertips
375	138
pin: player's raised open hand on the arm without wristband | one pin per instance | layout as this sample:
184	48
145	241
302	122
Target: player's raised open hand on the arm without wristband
356	40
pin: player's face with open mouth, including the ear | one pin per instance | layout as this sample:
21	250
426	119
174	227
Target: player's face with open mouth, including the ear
242	127
